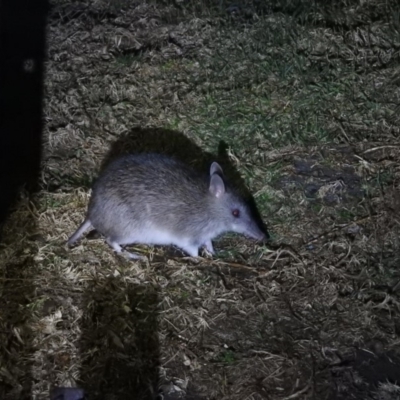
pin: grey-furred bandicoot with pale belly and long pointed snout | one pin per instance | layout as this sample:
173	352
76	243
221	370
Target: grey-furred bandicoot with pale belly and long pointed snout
155	199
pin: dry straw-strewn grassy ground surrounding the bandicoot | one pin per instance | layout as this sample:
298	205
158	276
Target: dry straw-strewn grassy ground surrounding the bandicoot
299	101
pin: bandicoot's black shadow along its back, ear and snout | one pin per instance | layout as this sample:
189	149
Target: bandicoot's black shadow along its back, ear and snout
176	144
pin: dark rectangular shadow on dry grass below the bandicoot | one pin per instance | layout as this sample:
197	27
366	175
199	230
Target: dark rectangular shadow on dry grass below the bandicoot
119	342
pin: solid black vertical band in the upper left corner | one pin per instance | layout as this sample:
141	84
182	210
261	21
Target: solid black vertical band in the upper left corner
22	50
